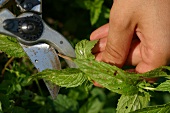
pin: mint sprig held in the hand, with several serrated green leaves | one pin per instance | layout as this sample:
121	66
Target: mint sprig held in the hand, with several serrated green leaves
134	89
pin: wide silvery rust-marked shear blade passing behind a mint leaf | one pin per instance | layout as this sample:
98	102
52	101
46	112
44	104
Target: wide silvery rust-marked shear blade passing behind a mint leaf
44	57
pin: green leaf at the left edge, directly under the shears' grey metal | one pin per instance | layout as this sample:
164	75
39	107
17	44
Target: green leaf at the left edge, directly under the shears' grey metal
11	47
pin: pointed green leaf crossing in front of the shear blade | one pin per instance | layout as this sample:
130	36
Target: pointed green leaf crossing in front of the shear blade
70	77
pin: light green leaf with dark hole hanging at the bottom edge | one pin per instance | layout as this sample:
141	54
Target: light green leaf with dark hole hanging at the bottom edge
129	103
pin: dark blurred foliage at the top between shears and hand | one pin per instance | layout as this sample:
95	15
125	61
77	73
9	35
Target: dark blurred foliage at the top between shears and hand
76	19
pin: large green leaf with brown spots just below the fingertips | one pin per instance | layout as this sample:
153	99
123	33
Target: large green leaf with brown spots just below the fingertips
110	77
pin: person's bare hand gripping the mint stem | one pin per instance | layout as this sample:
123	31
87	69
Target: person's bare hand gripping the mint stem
138	33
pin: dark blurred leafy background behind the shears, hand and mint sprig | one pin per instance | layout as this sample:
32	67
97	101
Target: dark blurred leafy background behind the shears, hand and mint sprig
75	19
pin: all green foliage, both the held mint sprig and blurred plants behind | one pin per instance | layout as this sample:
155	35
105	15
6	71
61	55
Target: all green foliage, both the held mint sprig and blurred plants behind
122	92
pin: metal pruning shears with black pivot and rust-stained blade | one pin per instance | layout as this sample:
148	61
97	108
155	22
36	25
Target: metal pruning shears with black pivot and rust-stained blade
40	42
